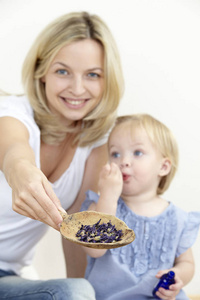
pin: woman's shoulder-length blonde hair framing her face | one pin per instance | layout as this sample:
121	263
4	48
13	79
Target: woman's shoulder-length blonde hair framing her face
65	30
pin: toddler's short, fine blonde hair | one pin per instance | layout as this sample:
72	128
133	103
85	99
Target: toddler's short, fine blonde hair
161	137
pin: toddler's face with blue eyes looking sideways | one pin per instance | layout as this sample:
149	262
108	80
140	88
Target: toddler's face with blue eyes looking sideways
139	161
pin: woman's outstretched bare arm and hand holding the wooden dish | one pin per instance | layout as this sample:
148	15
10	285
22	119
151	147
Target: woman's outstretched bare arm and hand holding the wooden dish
31	192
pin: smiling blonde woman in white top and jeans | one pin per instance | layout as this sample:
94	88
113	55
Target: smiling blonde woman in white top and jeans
53	143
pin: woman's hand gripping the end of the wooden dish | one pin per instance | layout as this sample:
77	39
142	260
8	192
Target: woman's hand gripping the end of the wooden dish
33	196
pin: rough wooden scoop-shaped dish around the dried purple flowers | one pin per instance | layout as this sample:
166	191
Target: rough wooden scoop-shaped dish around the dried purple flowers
72	223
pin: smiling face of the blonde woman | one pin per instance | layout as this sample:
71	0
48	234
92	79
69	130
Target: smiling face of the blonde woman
74	82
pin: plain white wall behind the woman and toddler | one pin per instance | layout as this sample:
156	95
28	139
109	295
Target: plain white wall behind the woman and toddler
160	50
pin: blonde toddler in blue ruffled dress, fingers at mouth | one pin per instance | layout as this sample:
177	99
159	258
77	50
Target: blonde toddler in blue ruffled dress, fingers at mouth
143	158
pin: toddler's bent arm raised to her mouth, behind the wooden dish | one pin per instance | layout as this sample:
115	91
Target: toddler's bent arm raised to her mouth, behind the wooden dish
110	188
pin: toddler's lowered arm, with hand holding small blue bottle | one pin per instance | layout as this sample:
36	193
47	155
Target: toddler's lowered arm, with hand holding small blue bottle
184	271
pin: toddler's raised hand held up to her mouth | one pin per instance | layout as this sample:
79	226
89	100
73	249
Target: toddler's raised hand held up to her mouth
110	181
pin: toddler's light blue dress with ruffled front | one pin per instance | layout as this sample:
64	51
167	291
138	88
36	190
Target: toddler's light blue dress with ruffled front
129	272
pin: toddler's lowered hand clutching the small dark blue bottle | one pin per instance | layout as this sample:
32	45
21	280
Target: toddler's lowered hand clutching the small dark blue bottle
174	289
